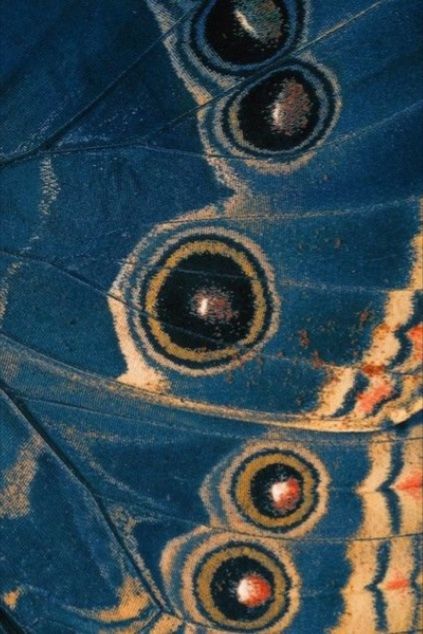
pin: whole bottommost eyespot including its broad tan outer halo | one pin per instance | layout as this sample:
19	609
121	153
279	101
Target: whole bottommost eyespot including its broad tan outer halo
230	582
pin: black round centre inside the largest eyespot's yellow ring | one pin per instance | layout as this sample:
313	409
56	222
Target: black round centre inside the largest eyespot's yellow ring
206	302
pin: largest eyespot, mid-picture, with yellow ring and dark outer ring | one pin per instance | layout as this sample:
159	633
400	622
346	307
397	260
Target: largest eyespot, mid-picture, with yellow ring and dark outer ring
205	302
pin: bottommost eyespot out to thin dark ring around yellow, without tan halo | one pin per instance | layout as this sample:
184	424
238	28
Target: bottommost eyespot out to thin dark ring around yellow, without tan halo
242	587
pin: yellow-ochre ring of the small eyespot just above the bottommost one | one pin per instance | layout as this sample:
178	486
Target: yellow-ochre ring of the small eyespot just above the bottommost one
243	490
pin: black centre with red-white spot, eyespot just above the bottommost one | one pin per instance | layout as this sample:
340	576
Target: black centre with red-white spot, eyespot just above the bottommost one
277	490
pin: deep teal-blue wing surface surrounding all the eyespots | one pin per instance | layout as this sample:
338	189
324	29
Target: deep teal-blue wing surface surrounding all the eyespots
101	145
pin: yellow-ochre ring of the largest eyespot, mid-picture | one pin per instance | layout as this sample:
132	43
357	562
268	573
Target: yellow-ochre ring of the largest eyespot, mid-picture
216	248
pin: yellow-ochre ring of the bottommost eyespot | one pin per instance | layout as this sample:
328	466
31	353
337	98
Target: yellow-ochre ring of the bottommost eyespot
209	569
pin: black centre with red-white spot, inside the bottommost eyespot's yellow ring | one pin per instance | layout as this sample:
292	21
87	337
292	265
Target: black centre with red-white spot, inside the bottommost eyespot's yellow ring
225	587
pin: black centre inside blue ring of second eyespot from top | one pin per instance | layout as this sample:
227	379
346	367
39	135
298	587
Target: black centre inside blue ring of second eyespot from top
279	113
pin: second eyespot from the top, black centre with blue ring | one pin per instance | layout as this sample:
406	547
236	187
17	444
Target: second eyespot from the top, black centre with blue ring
286	112
